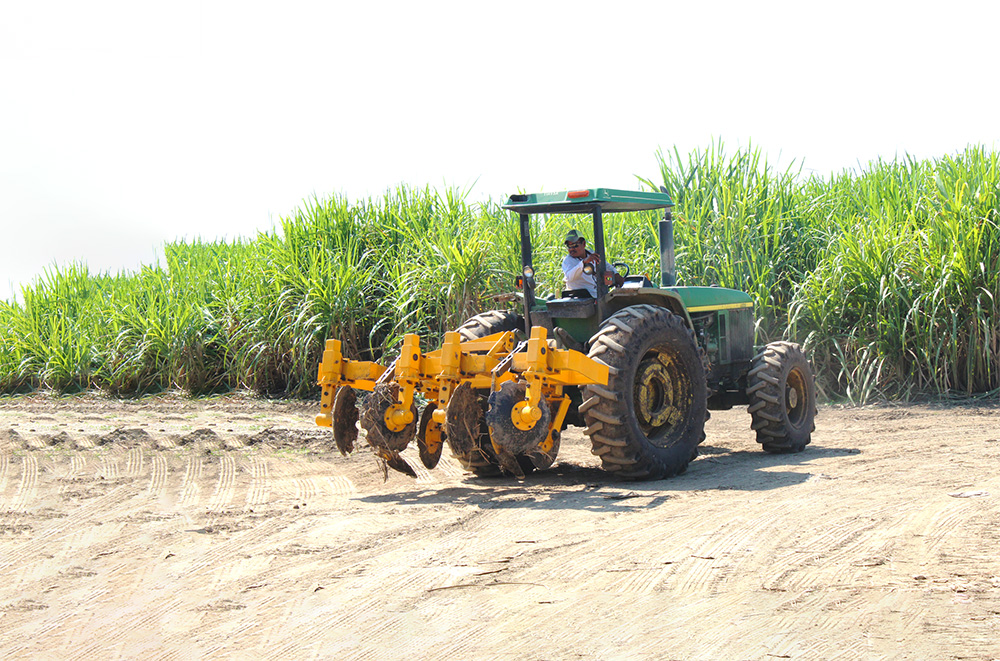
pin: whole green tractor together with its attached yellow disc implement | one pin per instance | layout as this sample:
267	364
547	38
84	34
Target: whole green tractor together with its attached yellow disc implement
639	367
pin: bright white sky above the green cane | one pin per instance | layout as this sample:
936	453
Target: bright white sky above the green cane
127	124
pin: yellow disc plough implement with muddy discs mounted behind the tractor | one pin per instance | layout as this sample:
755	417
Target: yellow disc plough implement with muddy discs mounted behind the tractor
526	407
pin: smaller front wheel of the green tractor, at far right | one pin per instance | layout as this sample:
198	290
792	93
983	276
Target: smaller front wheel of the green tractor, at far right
782	394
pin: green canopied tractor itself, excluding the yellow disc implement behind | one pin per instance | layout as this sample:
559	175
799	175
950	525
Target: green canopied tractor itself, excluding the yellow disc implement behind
674	352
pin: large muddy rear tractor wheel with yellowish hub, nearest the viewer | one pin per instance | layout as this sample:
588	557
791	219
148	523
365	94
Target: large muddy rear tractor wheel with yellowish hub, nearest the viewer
648	421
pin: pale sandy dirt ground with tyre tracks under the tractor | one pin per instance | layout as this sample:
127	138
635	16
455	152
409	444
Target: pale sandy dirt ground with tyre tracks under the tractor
166	529
